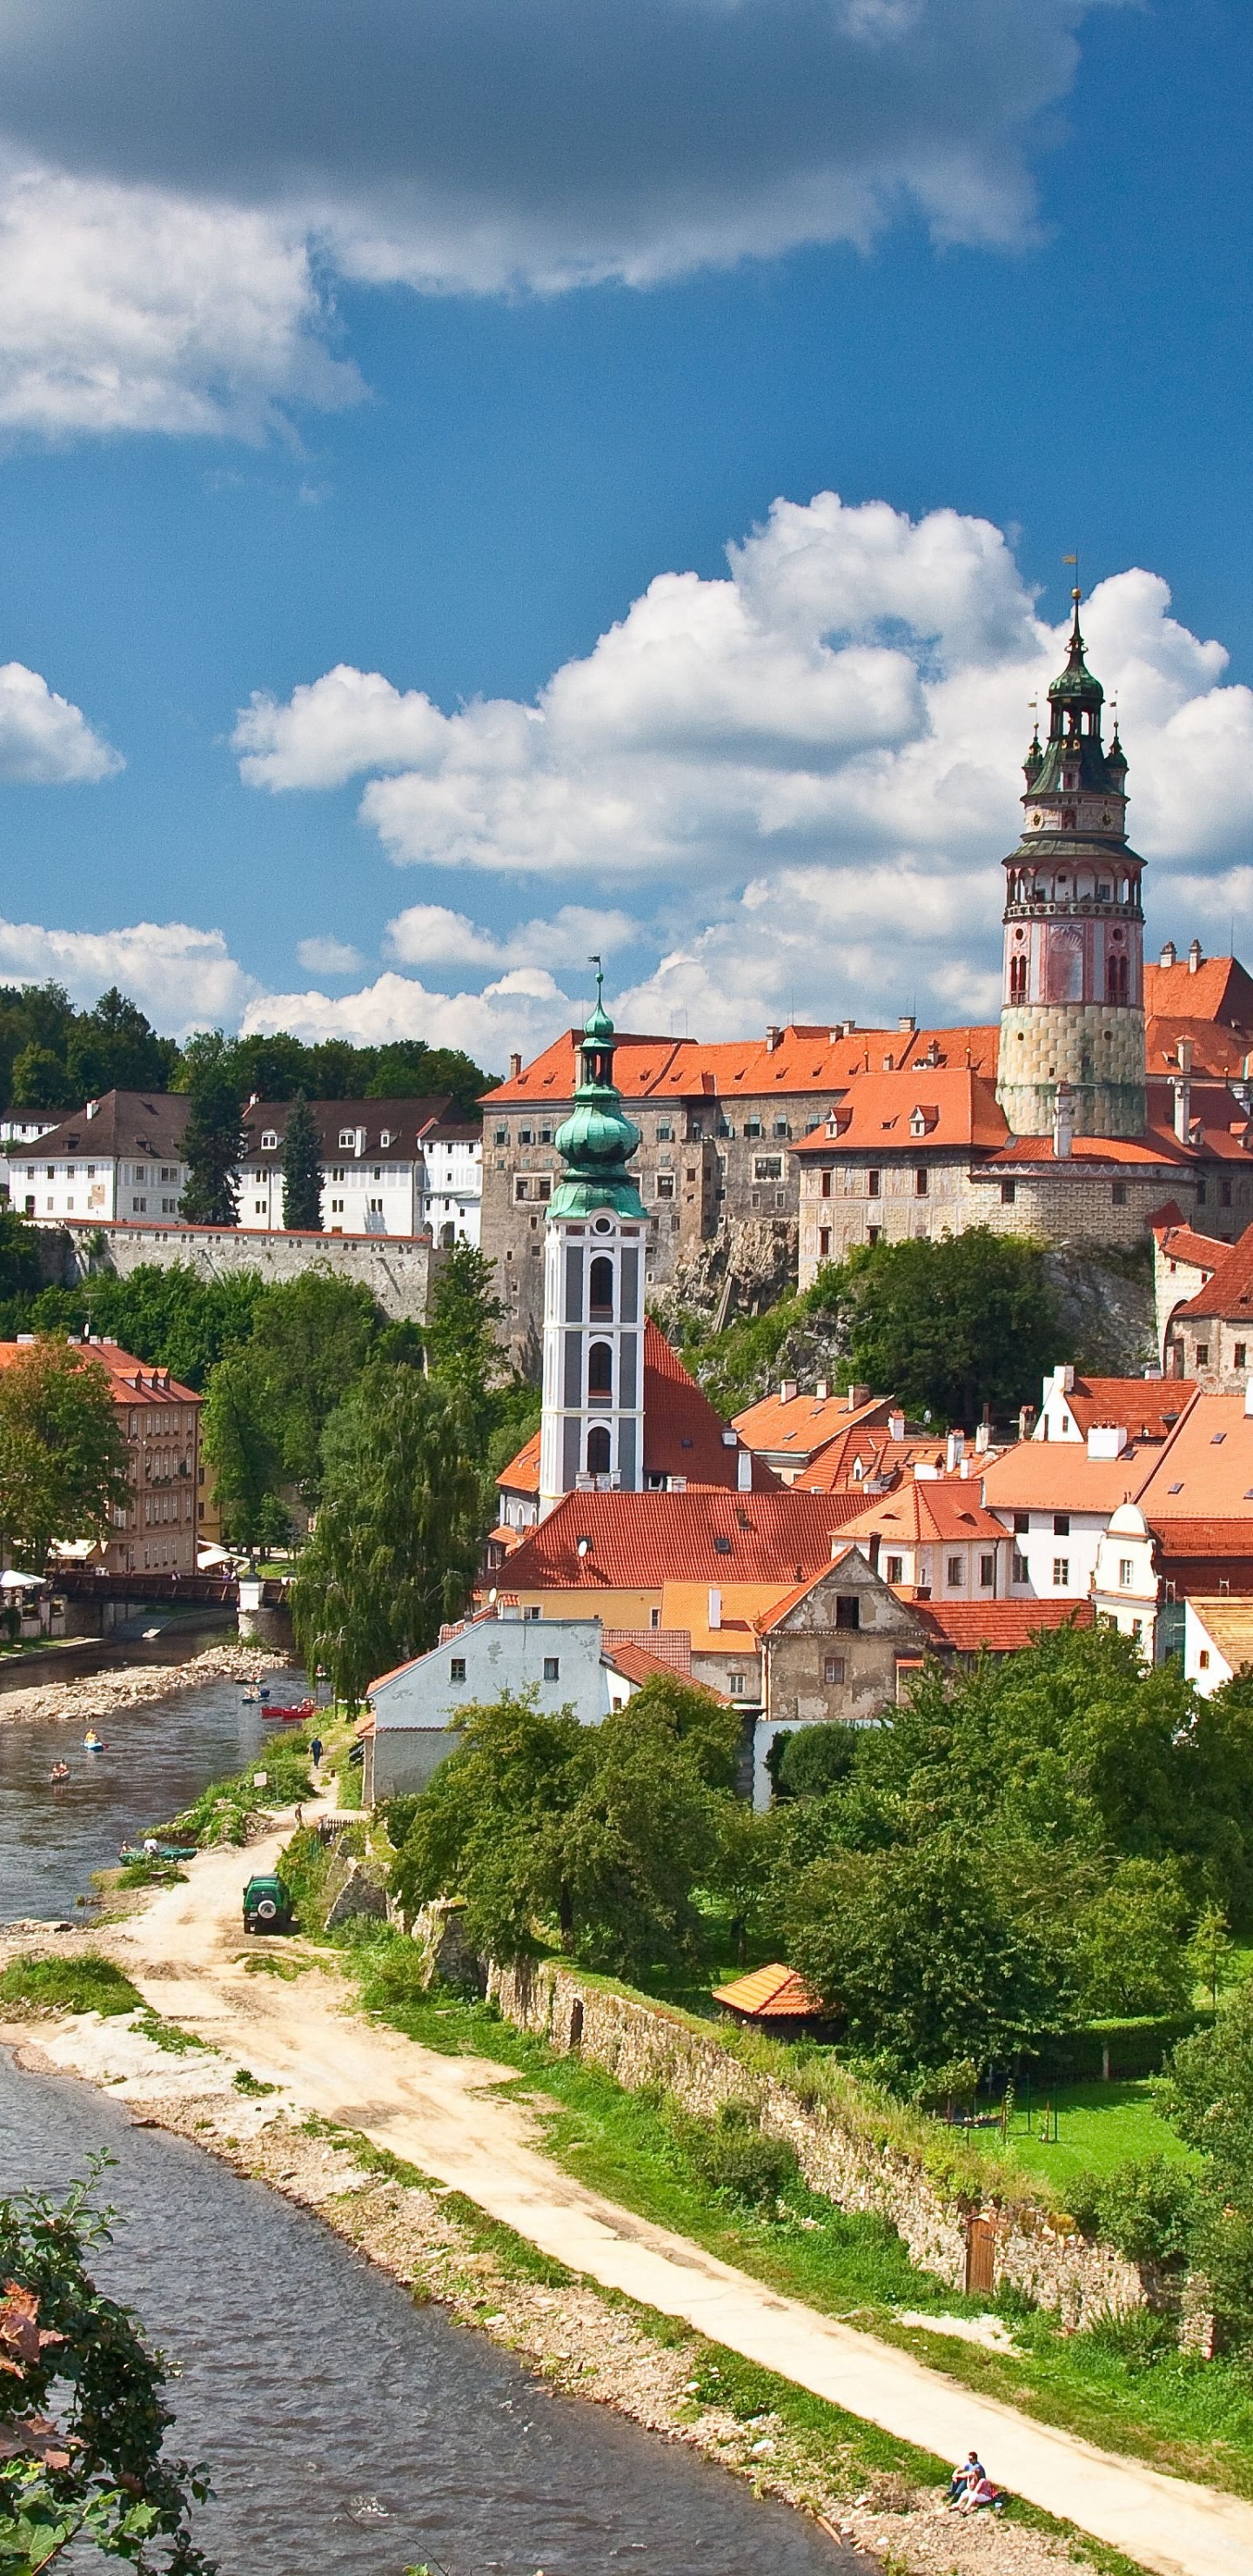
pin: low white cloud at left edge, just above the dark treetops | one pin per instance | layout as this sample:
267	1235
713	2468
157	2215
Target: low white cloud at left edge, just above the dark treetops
179	975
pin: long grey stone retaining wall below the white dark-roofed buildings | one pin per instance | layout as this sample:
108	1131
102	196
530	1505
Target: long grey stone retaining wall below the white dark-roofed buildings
398	1269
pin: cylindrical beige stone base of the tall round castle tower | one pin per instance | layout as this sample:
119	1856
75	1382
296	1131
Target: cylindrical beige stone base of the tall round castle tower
1097	1047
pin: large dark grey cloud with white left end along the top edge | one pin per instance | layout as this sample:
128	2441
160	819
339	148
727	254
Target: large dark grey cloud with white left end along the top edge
184	187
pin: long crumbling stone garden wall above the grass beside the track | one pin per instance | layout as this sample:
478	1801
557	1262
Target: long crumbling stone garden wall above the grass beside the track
648	2047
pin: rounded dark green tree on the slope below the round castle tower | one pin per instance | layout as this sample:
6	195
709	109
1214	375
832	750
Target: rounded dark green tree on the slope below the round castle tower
950	1325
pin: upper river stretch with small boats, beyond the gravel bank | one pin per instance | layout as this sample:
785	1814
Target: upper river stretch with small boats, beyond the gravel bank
159	1761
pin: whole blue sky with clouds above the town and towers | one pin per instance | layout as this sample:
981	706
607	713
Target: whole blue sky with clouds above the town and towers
504	318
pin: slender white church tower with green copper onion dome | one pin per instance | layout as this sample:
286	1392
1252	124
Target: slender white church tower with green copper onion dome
594	1289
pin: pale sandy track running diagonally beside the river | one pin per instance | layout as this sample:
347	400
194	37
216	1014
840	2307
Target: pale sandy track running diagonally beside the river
463	2124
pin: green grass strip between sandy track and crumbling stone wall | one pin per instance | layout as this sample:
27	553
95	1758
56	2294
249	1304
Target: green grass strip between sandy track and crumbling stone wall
1123	2387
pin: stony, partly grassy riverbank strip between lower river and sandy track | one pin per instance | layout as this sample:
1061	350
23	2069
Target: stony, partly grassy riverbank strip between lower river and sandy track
862	2487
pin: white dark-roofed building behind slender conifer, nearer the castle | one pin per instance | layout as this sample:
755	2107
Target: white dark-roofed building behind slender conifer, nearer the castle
388	1168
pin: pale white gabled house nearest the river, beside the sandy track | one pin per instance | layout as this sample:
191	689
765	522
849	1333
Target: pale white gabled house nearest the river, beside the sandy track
414	1709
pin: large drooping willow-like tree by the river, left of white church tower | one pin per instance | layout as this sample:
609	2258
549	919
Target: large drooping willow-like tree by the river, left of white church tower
398	1531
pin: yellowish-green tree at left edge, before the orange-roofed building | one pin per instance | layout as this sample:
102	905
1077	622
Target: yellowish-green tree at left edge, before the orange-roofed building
63	1457
